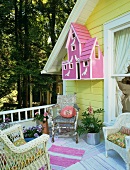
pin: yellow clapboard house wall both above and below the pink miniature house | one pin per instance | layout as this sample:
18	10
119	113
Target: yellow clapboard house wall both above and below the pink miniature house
92	91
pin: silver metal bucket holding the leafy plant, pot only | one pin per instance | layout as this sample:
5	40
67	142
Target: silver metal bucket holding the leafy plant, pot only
93	138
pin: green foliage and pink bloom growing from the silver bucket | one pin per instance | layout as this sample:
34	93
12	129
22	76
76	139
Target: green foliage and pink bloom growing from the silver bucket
89	122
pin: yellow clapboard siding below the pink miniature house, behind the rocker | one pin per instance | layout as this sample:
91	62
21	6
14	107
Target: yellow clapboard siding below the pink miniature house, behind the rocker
88	92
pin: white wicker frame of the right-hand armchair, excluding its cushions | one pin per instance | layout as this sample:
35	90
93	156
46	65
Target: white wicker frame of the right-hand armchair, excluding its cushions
122	120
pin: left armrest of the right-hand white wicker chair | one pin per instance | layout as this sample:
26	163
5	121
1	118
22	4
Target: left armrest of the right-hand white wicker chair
109	130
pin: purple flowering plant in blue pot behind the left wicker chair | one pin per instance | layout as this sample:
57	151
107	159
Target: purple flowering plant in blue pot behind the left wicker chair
32	132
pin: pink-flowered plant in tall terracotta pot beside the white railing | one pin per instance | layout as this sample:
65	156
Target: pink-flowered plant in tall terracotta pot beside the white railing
42	117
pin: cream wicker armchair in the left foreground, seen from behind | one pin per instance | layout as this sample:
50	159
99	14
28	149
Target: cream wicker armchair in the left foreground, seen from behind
28	156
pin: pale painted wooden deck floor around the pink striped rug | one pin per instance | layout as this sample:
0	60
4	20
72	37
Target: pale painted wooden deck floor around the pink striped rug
94	157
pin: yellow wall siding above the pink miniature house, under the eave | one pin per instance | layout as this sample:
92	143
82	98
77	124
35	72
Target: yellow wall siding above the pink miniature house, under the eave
104	12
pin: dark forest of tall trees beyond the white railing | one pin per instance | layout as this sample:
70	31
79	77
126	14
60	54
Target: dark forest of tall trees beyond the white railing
29	30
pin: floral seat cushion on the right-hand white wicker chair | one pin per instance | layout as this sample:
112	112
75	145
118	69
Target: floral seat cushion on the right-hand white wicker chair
118	138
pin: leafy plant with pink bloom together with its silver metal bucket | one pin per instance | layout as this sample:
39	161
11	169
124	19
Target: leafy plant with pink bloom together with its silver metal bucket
91	125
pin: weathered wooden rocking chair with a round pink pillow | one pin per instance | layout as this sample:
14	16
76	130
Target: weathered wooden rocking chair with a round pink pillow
65	122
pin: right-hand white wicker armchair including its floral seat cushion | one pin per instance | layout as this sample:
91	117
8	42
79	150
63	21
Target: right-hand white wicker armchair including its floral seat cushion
123	147
